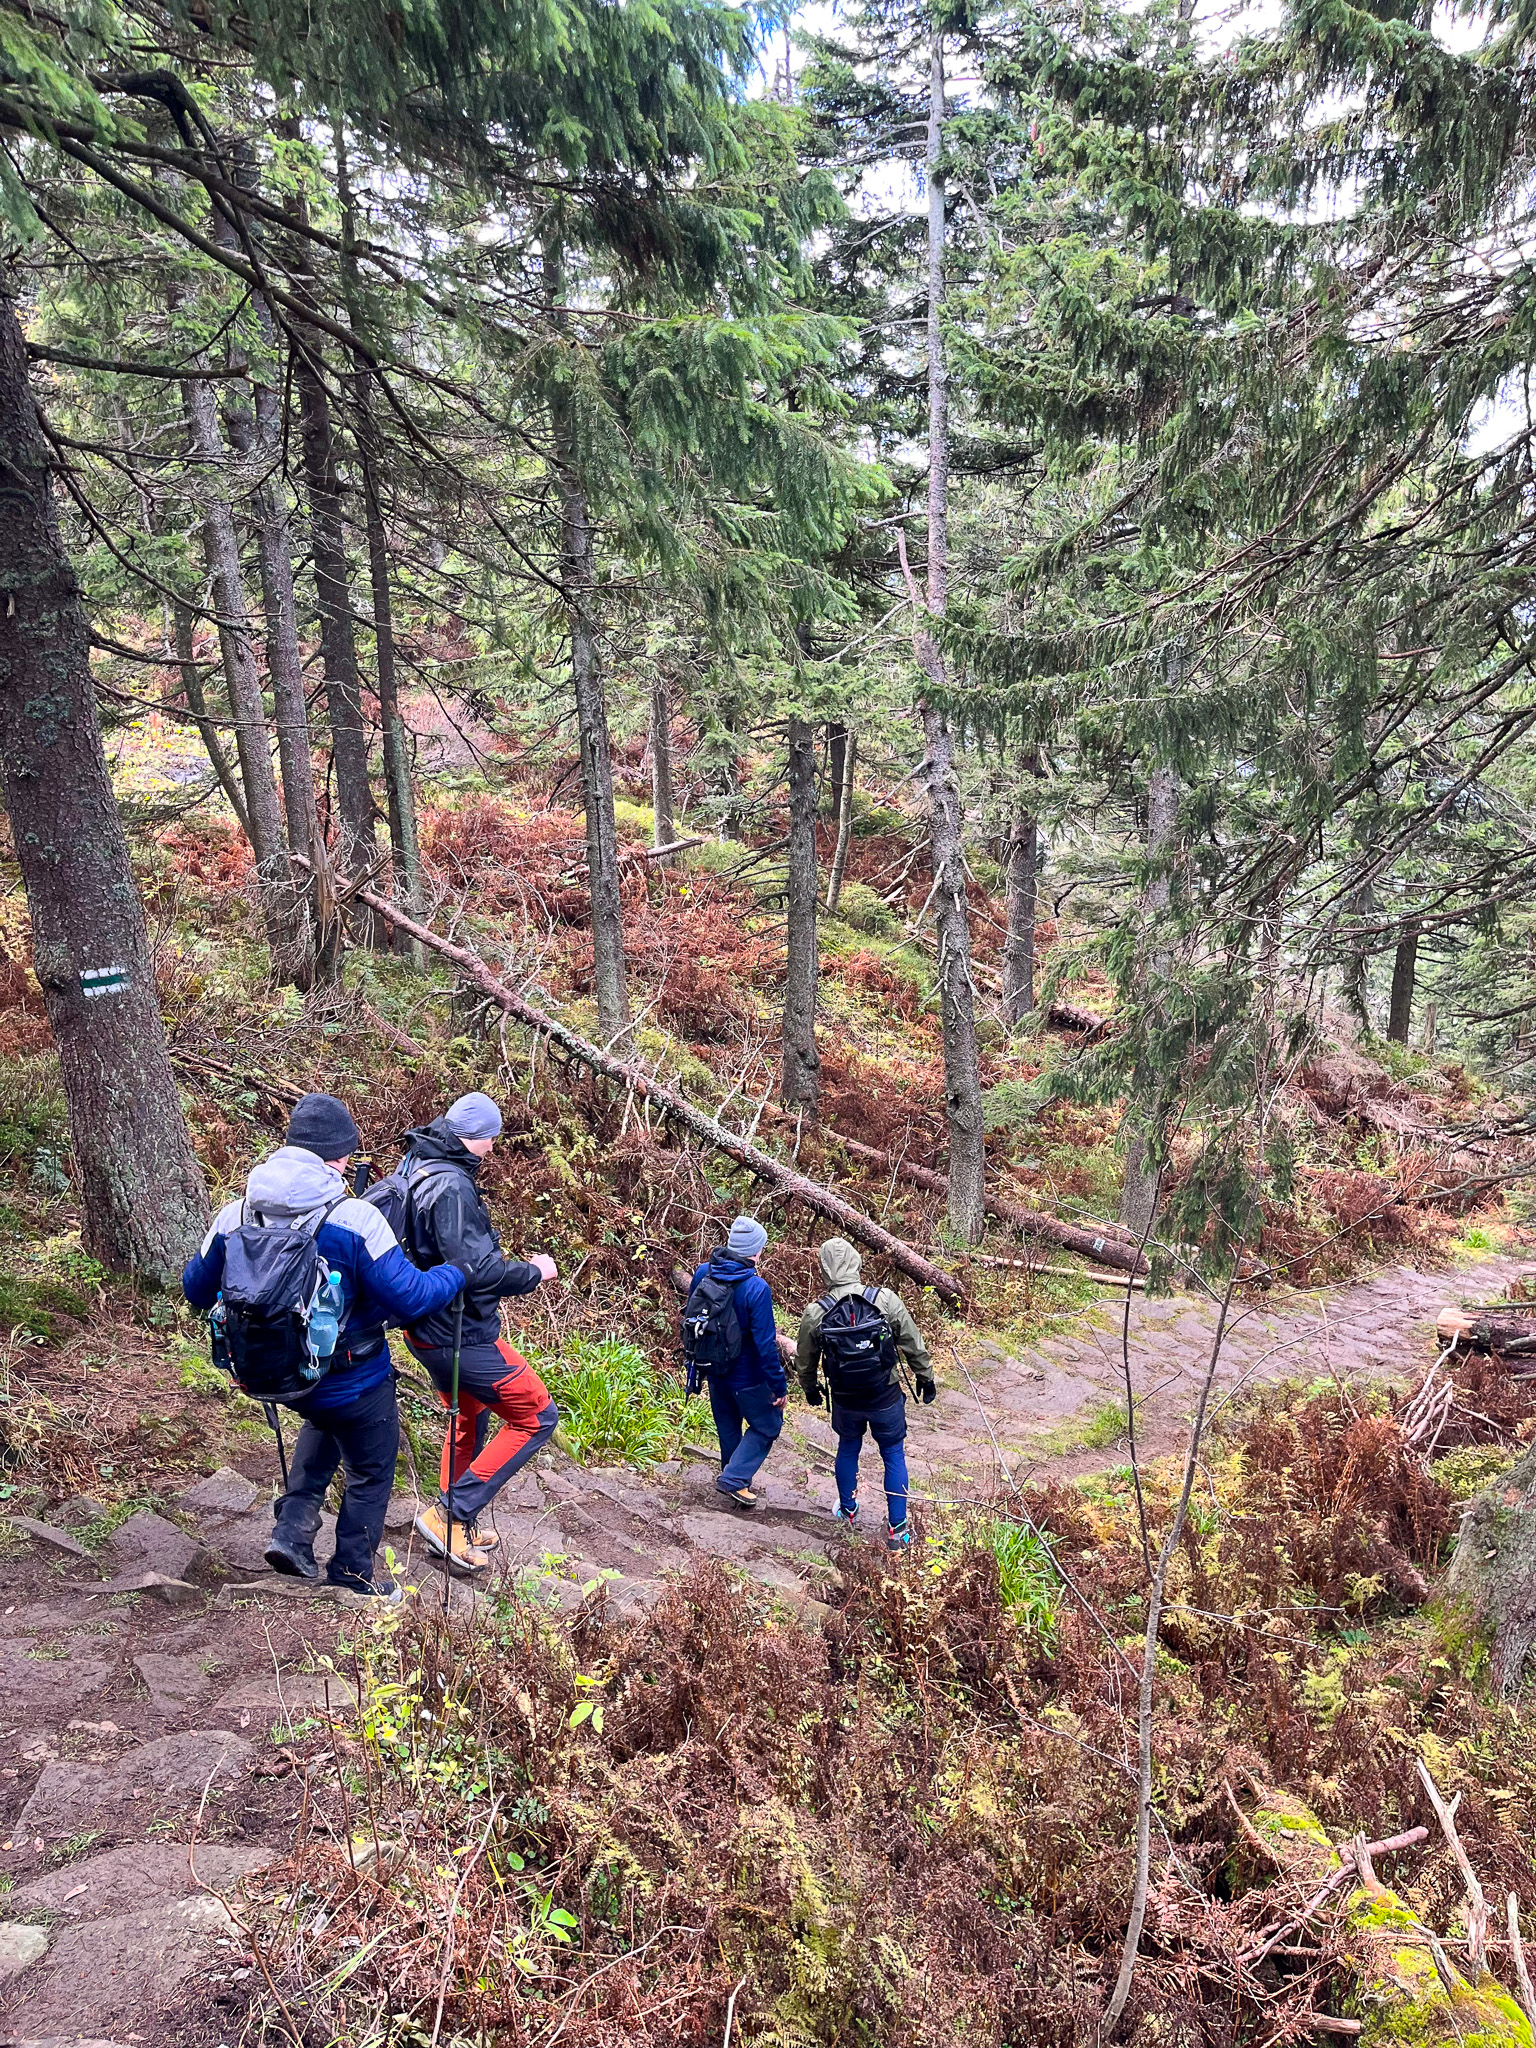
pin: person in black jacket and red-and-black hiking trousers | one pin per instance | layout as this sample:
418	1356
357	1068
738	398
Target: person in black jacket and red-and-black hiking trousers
450	1224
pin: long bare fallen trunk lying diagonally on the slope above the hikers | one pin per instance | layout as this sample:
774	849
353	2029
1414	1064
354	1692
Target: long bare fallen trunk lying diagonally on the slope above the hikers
673	1105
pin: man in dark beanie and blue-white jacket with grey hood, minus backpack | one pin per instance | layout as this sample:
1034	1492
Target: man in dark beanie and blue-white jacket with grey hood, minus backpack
351	1418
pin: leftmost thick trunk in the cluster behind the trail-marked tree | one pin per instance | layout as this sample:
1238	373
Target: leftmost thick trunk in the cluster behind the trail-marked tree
253	746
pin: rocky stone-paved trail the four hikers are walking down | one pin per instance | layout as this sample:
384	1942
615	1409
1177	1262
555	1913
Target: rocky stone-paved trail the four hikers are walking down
155	1691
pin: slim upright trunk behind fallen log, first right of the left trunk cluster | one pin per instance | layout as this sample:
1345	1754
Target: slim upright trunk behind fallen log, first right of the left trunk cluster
579	587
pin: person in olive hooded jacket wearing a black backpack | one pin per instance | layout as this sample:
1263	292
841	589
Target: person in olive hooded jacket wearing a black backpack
853	1336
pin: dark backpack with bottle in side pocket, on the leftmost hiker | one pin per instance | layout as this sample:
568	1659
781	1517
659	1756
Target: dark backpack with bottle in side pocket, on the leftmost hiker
261	1320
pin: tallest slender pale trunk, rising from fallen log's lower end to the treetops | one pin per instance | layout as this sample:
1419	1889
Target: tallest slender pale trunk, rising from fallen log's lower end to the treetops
947	833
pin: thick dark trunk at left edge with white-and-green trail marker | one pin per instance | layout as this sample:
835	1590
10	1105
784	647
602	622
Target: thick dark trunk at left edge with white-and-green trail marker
142	1193
